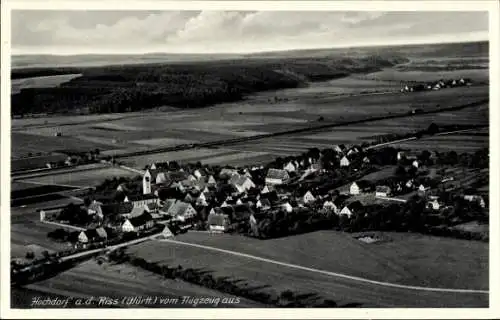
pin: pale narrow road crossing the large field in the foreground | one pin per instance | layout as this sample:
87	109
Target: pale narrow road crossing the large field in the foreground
332	274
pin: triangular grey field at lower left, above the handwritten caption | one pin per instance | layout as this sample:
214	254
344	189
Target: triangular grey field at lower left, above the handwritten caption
120	281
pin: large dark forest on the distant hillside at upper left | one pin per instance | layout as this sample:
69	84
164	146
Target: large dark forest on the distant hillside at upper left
137	87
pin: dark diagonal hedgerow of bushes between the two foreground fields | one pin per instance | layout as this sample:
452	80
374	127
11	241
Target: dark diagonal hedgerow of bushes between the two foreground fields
226	285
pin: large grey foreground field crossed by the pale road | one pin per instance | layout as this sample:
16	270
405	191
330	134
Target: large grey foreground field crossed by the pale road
398	261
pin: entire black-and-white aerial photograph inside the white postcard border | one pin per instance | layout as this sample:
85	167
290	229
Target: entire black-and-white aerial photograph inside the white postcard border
249	159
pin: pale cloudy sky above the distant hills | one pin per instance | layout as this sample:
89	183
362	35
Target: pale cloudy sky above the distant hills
132	32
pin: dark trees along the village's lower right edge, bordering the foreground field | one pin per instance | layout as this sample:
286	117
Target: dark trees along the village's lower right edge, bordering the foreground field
412	216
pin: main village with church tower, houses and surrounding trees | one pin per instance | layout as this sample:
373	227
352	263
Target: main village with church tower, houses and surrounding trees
344	188
